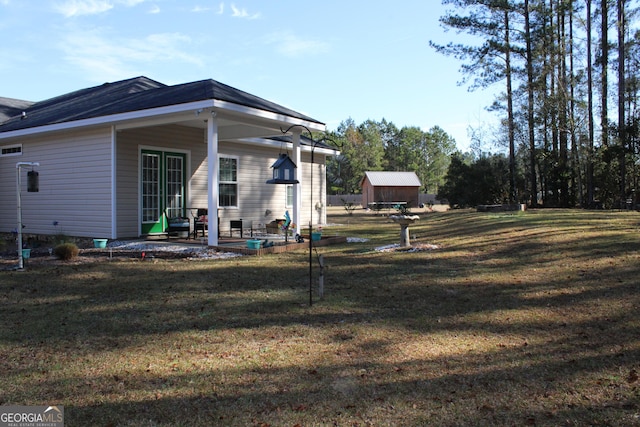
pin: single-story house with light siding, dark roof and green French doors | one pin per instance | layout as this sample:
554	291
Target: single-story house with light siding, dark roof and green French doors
117	159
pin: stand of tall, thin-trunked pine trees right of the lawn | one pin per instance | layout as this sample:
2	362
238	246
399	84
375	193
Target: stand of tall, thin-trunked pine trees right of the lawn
569	108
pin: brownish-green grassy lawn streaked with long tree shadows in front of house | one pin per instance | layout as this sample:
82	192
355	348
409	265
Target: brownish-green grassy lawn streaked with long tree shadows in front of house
515	319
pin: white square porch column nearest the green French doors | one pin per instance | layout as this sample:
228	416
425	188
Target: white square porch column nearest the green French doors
212	178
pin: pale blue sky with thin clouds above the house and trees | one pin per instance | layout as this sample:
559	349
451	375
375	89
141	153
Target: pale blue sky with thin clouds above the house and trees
329	59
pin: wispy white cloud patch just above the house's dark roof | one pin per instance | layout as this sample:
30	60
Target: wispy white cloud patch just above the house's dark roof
107	58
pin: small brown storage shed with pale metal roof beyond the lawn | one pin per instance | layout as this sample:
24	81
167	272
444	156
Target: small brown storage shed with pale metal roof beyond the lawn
385	189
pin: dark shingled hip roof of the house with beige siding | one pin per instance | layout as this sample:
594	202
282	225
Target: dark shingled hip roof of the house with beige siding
136	94
